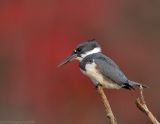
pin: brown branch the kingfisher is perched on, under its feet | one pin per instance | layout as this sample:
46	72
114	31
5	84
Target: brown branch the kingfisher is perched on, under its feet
107	105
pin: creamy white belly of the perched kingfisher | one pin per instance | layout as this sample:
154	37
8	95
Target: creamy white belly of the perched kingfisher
98	78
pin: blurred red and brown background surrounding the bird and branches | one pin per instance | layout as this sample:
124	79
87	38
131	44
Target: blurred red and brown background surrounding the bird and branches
36	35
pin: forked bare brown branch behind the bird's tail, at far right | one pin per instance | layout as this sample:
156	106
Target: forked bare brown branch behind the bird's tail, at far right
141	104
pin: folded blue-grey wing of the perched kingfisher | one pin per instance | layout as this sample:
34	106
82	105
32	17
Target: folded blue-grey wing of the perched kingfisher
110	70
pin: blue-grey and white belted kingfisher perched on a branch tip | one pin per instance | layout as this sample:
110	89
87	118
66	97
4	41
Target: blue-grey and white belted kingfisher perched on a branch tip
99	68
